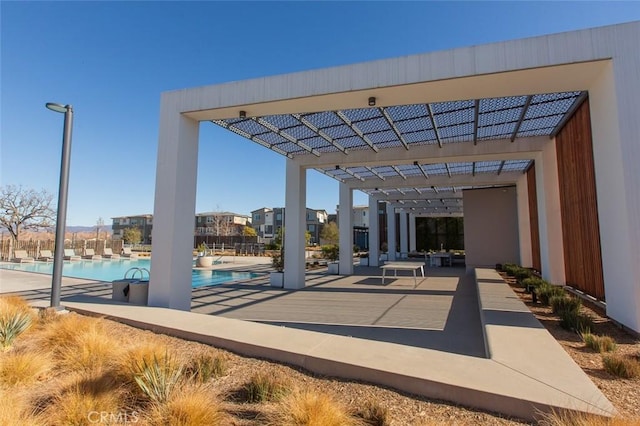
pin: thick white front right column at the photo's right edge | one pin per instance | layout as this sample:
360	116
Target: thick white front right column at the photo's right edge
614	102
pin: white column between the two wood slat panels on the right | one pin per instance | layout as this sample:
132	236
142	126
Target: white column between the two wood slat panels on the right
549	215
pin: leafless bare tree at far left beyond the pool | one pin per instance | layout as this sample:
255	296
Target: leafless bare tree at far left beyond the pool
25	209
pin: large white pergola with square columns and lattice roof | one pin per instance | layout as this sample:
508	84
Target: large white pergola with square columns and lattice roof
419	131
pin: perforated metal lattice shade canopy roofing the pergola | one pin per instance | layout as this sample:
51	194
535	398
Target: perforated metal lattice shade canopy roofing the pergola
405	126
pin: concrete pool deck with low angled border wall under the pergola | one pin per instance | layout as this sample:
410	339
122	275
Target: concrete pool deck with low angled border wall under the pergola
455	336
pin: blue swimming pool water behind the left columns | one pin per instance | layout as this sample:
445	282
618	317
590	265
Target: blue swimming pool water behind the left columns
110	270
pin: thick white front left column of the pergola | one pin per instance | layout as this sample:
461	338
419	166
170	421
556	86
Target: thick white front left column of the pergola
174	209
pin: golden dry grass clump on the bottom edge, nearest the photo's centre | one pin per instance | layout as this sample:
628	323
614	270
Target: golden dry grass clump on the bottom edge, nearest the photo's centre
309	408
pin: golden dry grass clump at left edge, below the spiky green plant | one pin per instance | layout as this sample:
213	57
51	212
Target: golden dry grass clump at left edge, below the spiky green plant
18	368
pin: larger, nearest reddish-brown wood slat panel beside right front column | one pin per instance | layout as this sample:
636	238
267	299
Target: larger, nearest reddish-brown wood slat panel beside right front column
579	206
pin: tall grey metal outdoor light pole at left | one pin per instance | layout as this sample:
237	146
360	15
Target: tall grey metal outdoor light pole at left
62	201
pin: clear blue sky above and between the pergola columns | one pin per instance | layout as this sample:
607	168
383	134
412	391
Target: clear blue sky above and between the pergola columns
112	60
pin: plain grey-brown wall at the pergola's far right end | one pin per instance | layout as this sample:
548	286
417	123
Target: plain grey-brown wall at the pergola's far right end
491	226
